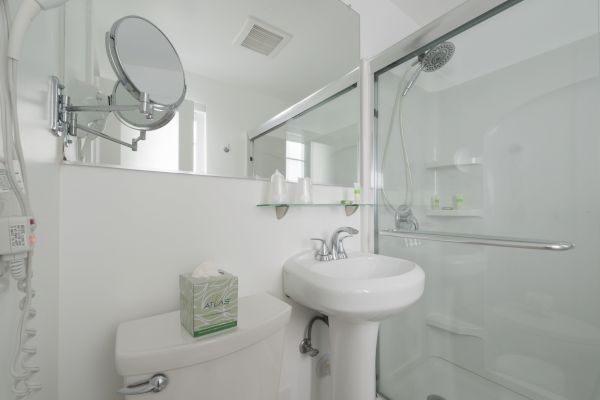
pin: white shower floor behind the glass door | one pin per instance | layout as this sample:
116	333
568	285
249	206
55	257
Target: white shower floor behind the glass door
437	377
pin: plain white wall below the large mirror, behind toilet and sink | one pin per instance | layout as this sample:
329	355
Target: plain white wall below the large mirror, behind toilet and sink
126	236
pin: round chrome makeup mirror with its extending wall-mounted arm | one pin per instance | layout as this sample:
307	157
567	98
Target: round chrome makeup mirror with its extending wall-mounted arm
150	87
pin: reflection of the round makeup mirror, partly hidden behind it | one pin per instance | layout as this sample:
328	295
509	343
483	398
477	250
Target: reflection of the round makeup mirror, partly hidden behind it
135	119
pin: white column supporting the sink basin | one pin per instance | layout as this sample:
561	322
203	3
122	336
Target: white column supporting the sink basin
353	351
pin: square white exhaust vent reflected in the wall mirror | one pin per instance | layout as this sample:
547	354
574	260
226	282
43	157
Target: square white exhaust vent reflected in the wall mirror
262	37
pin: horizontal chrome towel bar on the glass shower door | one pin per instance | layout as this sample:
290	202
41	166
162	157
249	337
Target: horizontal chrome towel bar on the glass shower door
483	240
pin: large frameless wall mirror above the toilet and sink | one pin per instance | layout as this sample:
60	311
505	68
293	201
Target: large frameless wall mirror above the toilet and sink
234	83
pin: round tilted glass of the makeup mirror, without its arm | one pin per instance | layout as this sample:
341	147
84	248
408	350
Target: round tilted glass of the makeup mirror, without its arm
145	61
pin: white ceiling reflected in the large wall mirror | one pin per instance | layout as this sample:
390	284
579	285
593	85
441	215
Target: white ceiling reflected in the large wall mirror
324	44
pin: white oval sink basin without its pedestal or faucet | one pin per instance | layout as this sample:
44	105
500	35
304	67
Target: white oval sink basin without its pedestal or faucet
363	286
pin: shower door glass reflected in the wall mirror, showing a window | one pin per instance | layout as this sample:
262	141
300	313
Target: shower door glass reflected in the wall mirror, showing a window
321	143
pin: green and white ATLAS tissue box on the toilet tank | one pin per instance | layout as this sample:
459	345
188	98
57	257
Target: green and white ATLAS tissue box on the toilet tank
208	305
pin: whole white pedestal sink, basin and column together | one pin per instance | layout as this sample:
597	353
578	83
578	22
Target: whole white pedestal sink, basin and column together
355	293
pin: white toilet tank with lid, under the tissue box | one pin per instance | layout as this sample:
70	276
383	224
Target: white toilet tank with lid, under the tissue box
243	363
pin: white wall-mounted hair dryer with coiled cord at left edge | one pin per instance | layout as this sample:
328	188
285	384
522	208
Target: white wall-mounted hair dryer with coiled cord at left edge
16	232
